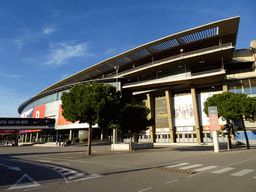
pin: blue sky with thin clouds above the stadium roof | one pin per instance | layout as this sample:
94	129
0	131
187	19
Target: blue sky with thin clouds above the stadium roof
45	41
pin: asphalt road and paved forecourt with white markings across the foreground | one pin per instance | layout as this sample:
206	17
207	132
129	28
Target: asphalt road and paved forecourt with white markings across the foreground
161	169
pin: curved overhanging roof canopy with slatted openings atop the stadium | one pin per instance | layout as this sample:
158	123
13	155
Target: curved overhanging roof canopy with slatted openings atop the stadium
226	28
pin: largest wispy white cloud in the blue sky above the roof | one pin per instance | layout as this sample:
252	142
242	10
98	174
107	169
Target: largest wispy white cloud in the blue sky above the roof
62	52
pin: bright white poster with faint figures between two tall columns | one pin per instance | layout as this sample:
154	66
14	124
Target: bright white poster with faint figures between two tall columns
183	111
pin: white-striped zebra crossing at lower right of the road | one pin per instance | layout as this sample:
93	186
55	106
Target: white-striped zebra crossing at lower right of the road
215	169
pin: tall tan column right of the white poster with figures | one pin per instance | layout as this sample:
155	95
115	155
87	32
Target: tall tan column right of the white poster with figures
196	114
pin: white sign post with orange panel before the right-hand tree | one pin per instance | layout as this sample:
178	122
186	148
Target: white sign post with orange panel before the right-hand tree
214	126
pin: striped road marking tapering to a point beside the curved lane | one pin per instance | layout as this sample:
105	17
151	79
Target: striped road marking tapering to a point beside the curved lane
72	175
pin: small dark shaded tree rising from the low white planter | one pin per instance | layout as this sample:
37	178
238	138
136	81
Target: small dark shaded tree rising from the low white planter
133	119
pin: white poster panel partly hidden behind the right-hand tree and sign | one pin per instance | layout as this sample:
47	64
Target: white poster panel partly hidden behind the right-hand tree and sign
204	120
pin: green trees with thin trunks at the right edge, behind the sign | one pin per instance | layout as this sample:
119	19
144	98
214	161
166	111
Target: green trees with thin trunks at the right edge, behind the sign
232	106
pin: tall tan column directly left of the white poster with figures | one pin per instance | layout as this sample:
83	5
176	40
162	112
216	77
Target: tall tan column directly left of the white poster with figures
169	104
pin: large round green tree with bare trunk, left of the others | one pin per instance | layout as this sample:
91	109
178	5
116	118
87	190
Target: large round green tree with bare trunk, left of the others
88	104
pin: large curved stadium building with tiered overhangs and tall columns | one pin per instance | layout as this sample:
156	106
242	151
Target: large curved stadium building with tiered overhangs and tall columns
173	76
